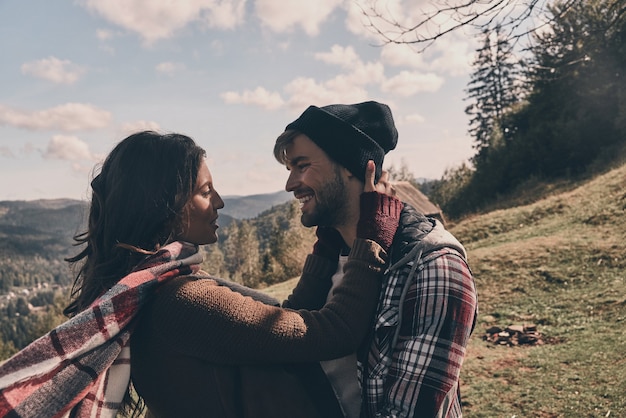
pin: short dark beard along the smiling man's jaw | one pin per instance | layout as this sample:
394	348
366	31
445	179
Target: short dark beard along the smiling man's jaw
330	204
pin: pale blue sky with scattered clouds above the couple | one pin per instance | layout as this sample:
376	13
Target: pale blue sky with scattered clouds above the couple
78	76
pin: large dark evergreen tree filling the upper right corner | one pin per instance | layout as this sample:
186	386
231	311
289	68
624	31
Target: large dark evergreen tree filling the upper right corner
577	99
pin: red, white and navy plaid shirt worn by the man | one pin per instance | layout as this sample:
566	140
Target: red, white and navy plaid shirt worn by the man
430	319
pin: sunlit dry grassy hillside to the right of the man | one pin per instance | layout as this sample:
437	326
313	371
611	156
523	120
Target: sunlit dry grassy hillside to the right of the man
559	264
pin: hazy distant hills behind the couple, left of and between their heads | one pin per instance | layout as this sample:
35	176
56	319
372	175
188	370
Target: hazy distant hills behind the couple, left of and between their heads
36	236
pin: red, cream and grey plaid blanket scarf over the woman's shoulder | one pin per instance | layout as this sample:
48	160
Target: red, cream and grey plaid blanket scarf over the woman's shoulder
82	367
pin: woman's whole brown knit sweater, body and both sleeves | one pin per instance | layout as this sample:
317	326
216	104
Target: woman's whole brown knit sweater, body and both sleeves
202	350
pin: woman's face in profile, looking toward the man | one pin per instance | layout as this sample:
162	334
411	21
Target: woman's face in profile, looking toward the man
200	213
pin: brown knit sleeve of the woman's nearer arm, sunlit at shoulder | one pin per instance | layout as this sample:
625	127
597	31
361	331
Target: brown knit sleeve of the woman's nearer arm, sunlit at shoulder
198	318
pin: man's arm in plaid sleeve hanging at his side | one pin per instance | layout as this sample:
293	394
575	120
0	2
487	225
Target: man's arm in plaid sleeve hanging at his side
438	317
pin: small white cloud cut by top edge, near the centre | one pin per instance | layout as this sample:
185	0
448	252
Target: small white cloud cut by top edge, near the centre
283	16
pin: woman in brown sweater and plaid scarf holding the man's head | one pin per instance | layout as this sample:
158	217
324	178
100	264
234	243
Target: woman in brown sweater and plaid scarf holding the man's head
198	347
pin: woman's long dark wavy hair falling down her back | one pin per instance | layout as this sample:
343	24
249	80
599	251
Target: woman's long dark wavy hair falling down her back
136	207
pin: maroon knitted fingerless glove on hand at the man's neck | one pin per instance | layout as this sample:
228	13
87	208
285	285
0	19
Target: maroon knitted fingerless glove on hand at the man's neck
379	218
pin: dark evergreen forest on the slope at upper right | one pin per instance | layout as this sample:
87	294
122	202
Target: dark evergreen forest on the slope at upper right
550	112
